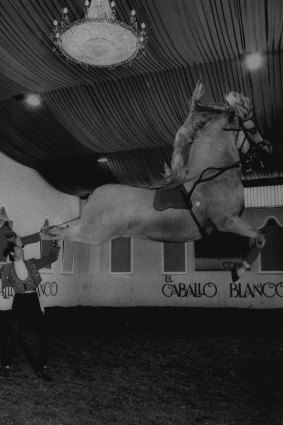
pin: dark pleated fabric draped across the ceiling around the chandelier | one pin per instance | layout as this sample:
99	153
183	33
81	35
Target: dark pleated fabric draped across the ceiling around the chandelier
132	113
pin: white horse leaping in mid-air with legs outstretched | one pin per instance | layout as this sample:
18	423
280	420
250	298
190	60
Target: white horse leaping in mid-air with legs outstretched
206	161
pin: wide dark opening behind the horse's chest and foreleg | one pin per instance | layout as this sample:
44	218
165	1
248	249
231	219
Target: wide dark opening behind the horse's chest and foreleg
220	251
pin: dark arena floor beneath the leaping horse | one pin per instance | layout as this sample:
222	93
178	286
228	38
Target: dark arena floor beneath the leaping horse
151	367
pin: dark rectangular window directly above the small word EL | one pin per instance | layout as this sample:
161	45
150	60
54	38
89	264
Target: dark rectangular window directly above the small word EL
174	257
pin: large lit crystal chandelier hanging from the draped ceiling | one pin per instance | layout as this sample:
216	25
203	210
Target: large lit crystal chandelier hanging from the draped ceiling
99	39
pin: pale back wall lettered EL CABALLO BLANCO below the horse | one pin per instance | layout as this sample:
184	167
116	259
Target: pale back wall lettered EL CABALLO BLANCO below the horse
147	285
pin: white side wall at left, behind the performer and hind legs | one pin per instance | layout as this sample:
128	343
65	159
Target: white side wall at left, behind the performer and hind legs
28	200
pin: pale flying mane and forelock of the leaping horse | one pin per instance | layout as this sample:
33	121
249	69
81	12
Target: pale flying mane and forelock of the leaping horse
199	116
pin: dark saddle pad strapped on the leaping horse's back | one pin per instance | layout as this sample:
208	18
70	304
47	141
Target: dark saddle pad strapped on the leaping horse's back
170	198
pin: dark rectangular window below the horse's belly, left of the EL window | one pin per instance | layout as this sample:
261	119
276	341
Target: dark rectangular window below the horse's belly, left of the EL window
121	255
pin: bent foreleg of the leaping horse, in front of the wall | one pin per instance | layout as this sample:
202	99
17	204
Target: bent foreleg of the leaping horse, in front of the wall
240	227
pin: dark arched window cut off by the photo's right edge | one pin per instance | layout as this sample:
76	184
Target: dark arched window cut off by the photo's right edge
271	257
